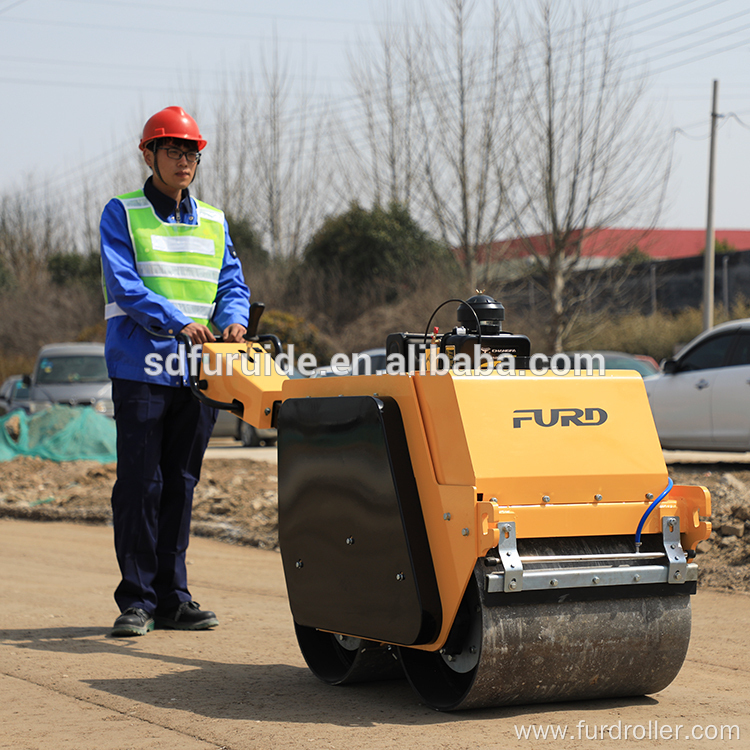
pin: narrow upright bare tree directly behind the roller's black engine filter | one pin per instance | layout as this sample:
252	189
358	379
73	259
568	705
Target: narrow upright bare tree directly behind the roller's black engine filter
465	123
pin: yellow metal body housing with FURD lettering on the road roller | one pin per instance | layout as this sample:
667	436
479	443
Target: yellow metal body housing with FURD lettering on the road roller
474	468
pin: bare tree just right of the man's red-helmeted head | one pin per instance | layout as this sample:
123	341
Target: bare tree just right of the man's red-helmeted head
267	165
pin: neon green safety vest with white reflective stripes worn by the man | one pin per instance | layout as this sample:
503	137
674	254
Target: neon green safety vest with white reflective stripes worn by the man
181	262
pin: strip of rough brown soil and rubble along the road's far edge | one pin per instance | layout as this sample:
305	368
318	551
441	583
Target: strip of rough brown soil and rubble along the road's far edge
236	502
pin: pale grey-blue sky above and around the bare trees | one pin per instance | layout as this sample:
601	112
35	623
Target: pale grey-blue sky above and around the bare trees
79	77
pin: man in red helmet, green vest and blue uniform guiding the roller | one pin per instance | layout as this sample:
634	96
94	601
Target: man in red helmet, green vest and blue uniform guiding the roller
169	267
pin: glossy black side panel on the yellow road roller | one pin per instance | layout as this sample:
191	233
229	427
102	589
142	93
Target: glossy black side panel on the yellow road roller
353	541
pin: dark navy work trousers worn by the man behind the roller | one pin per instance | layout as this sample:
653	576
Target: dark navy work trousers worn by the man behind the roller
162	434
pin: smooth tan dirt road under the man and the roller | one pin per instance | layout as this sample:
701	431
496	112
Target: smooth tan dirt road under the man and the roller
65	684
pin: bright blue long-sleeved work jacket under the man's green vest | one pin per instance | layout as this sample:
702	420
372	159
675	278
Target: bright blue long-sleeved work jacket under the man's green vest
152	321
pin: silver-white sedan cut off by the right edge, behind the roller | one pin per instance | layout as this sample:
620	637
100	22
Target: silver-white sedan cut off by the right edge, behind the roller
701	400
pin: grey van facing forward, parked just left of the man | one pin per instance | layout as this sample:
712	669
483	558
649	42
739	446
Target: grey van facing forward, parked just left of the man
74	374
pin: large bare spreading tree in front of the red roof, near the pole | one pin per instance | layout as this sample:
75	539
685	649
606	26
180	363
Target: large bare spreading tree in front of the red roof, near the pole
585	154
